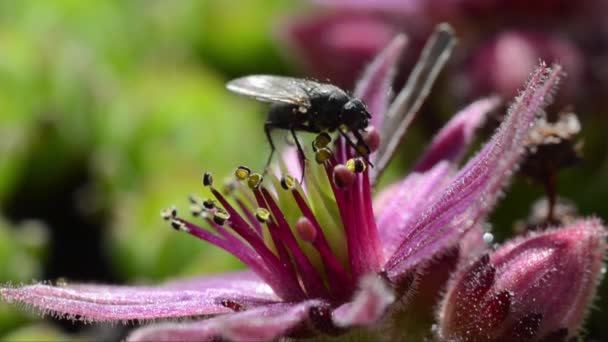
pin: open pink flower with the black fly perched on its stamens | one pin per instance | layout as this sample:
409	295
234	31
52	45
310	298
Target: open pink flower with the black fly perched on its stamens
322	258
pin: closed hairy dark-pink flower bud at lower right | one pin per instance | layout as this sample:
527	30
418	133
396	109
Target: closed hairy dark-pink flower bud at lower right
533	288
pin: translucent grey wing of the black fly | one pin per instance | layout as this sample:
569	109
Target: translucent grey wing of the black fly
269	88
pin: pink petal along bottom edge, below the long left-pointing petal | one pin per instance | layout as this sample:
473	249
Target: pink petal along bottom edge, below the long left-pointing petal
260	324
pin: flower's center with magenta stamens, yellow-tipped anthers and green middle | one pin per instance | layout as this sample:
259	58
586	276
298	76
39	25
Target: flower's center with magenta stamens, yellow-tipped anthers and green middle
309	240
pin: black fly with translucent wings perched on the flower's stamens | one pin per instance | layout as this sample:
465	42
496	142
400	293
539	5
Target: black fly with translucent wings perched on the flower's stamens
307	106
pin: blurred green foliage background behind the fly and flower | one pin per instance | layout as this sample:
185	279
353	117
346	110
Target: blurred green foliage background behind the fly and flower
111	110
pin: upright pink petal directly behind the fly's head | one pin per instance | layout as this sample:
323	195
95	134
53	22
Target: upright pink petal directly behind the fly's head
375	86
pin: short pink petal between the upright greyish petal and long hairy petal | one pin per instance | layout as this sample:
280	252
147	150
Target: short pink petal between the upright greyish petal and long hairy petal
454	138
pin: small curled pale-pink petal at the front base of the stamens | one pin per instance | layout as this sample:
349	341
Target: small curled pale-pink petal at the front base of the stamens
368	306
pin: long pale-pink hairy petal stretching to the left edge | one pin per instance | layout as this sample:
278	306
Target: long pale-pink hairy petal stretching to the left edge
114	303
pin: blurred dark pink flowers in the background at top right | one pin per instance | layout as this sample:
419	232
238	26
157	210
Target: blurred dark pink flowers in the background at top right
503	40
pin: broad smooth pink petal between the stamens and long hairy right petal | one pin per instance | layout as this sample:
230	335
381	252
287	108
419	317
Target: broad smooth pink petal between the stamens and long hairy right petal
404	200
